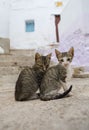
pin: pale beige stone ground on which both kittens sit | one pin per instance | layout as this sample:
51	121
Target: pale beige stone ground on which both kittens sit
70	113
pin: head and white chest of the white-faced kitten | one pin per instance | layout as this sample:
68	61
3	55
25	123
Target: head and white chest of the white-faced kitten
65	59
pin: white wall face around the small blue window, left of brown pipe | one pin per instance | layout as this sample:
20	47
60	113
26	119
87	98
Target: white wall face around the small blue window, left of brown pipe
41	35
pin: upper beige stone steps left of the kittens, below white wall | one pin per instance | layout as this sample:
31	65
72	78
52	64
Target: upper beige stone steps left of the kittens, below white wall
17	58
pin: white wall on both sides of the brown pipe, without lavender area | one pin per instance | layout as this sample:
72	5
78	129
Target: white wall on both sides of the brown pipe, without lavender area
75	15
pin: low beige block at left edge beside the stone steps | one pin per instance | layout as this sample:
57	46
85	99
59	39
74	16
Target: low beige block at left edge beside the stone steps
4	46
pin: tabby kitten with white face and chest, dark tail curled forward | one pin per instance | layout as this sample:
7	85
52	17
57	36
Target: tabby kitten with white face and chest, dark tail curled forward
56	77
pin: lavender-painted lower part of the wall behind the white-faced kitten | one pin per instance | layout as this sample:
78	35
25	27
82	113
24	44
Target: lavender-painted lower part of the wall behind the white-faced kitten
79	41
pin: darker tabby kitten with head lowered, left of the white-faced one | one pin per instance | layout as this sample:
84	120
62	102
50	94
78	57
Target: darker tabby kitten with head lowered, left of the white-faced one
29	79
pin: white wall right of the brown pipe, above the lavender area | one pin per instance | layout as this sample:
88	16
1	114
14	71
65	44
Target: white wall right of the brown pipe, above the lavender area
71	17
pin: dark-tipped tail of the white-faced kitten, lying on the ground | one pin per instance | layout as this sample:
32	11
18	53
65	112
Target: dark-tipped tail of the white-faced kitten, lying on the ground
53	97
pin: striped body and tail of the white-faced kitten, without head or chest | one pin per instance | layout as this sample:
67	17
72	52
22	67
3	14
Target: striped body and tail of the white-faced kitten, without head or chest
53	80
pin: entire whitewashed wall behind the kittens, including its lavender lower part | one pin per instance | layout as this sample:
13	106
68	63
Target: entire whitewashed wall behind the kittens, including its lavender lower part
73	28
